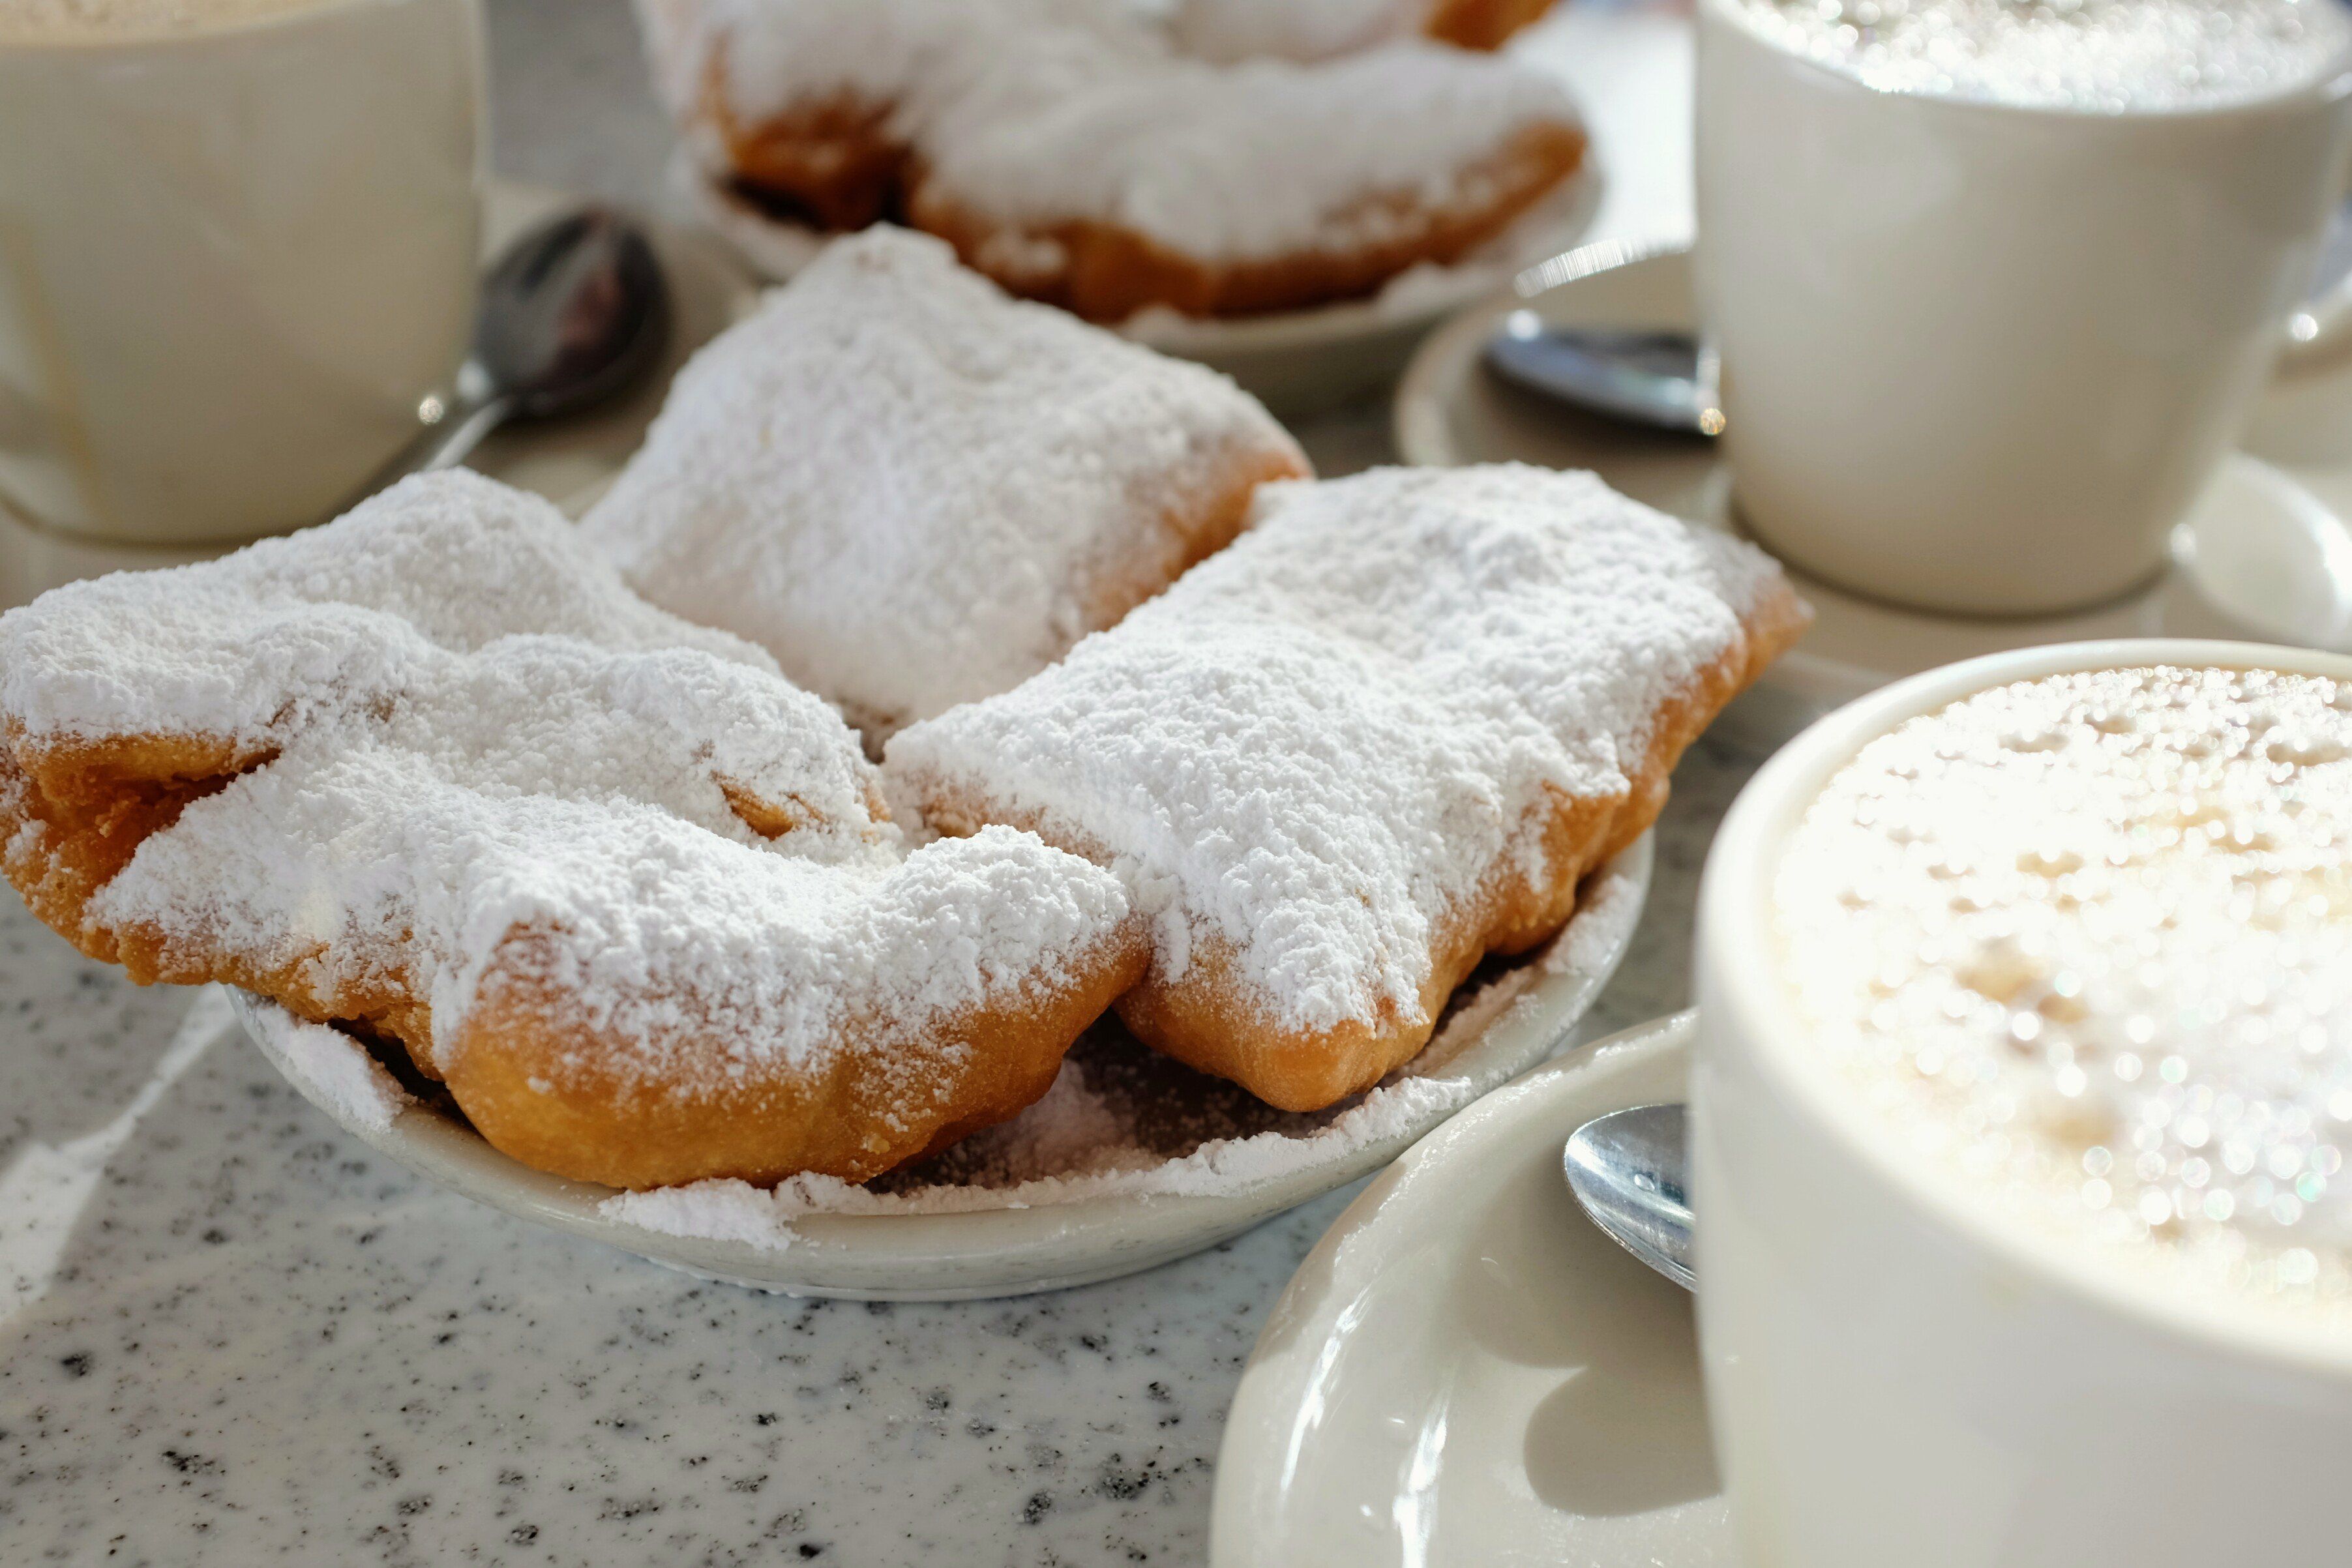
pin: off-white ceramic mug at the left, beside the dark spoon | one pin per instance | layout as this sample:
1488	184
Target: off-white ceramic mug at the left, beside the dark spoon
236	264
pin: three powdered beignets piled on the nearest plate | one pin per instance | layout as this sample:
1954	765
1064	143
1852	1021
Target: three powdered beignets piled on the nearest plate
439	777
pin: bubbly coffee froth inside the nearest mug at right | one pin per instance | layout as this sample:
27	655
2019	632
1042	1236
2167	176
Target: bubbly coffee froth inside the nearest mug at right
2087	946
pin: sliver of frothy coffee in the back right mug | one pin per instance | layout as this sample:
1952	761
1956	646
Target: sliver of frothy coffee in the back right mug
2087	55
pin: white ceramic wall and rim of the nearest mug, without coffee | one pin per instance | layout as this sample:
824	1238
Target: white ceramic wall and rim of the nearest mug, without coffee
1895	1379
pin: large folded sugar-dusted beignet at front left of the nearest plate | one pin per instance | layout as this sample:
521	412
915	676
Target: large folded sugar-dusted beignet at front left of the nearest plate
436	775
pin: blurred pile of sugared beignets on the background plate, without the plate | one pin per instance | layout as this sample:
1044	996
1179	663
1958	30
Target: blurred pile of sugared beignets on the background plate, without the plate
1076	156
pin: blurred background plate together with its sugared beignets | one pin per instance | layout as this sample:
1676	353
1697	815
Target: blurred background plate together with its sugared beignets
1231	182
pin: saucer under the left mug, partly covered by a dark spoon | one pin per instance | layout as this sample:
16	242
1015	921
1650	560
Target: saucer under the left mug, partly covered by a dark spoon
570	460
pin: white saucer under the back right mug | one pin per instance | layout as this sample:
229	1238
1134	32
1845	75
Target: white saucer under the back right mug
2261	558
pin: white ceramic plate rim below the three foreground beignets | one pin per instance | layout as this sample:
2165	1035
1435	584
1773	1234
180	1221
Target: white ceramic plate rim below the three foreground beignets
1008	1252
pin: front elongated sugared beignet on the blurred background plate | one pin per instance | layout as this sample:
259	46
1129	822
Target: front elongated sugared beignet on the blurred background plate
1245	189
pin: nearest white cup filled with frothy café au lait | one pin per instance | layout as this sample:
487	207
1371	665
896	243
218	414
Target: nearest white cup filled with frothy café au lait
2022	1111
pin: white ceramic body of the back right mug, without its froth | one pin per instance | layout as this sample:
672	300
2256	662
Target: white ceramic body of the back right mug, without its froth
1982	359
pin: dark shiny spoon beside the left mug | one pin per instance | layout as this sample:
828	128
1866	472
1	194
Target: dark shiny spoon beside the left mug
573	314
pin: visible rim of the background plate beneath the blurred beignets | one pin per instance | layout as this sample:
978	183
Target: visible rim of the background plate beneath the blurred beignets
1299	363
